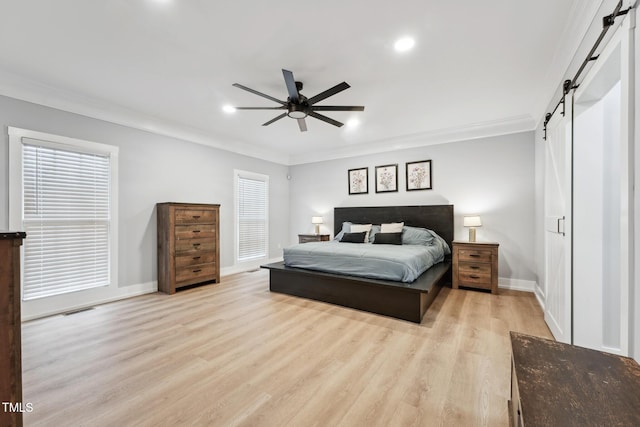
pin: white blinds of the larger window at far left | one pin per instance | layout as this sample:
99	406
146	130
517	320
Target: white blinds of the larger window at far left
66	217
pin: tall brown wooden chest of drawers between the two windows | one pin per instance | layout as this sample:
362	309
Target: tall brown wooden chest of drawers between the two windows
188	245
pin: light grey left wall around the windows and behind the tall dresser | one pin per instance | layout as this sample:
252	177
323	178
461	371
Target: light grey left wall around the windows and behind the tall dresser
153	169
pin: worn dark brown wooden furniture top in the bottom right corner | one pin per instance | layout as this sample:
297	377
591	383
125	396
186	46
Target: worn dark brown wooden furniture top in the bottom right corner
557	384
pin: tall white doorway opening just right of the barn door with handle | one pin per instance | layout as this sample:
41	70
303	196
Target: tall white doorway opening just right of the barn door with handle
603	200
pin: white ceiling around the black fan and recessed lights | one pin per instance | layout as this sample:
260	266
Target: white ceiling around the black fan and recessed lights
478	67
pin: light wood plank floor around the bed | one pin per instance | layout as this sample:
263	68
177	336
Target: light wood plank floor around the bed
235	354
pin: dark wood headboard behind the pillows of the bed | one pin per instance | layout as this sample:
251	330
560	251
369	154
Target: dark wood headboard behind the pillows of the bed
438	218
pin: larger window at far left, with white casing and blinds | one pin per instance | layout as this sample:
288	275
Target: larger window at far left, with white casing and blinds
63	194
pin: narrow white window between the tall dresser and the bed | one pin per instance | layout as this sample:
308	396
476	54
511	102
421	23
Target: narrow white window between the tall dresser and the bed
252	207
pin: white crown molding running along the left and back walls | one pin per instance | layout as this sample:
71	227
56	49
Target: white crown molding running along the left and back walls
18	87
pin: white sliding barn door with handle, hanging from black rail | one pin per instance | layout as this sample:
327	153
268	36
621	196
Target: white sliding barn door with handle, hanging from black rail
557	209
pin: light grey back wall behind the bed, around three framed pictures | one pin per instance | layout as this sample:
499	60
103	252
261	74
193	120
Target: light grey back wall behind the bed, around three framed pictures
493	177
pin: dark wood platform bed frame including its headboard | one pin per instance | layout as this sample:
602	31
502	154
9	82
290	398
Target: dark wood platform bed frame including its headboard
407	301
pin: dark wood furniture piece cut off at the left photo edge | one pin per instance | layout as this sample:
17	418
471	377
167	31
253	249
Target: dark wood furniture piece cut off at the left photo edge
10	329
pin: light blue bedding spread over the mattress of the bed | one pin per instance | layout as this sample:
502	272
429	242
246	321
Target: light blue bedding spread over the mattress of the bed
402	263
